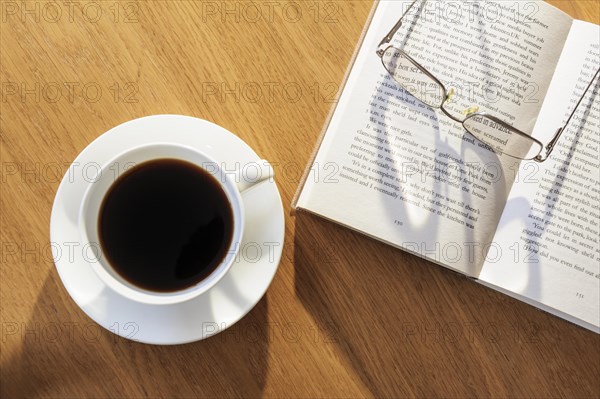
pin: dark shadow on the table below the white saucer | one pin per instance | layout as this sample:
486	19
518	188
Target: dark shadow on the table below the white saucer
63	353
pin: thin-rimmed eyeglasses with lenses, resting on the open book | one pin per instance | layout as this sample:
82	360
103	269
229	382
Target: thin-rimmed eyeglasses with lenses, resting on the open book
425	87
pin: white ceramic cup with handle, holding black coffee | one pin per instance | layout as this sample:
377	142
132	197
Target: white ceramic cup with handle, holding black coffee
233	183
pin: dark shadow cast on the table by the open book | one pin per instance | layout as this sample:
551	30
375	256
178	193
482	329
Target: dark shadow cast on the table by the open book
400	324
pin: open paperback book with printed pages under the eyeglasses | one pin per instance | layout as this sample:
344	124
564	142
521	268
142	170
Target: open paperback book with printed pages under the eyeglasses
393	168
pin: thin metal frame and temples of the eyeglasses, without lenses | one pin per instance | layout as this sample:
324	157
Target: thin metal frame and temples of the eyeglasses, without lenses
541	157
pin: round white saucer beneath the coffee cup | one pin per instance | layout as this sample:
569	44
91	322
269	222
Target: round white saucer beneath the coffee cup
228	301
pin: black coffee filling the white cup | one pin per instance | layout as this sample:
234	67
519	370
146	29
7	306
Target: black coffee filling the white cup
165	225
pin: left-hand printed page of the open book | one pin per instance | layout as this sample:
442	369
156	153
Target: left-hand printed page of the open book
397	170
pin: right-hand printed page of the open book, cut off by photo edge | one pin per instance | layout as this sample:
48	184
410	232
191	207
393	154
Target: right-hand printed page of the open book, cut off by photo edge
550	226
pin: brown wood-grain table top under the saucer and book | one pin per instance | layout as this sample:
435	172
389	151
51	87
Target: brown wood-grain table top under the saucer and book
345	316
